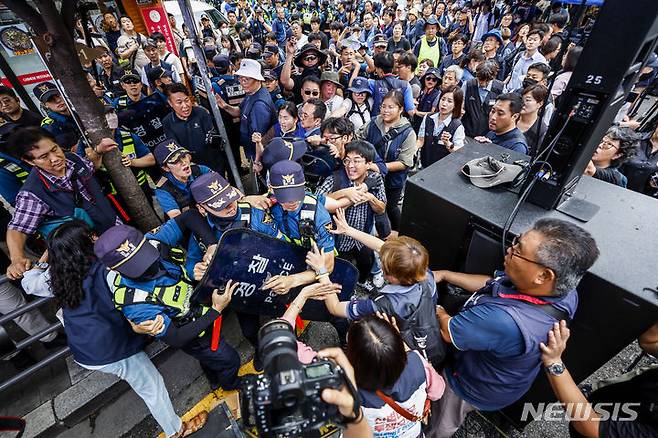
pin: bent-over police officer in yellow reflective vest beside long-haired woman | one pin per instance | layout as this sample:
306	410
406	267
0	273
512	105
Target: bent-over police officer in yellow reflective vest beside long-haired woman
148	281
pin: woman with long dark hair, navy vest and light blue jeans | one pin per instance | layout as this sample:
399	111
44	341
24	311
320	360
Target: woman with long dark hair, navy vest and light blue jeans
99	336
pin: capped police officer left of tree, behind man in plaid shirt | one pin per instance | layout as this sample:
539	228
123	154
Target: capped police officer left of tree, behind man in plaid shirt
59	121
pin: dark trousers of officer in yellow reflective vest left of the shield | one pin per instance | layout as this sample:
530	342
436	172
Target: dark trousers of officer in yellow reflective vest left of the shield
220	366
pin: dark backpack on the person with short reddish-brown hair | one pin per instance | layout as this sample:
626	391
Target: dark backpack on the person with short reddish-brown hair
420	330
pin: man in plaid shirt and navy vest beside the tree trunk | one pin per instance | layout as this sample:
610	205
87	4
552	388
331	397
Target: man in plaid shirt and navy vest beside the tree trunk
61	186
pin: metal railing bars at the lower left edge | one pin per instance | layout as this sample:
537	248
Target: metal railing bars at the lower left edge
23	344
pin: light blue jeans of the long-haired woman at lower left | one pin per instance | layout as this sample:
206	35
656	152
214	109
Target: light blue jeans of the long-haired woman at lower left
145	379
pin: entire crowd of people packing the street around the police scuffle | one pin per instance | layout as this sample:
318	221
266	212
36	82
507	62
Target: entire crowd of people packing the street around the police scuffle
329	107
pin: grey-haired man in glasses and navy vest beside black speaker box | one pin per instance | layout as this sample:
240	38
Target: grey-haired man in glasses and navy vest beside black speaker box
498	331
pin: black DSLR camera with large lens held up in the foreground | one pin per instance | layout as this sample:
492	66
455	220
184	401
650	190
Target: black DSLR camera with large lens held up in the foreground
285	400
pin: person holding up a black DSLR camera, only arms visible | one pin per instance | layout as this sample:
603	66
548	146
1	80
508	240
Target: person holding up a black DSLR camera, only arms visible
297	406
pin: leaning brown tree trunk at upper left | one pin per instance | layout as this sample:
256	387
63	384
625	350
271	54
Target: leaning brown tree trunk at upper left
54	29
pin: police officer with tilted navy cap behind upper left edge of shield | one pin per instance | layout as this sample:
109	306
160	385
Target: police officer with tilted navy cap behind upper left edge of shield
221	204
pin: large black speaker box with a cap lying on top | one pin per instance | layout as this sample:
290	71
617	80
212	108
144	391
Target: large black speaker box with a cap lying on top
461	225
